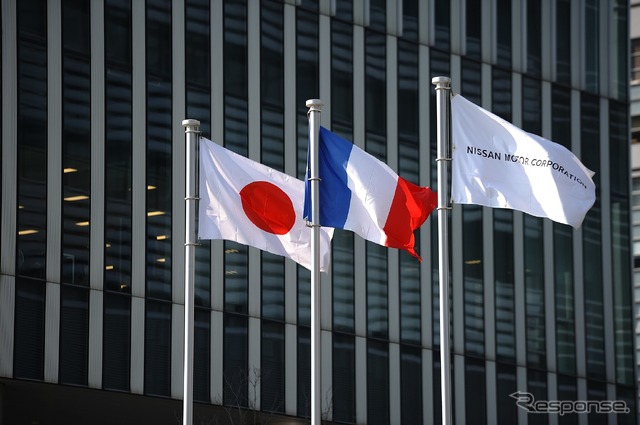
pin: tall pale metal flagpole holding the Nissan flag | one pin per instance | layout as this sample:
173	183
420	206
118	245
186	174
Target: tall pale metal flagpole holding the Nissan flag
443	159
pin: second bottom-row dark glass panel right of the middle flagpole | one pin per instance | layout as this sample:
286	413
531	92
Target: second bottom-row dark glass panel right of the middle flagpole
377	382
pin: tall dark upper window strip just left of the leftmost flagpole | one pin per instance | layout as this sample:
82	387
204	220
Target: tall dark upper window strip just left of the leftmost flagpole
159	153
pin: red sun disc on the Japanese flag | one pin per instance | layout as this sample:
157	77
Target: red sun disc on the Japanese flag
268	207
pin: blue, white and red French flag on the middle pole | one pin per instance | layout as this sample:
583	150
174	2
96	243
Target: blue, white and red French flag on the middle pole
360	193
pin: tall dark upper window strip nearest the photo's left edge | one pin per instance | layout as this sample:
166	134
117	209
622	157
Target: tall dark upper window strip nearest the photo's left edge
32	139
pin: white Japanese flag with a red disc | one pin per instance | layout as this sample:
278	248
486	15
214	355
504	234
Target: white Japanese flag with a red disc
247	202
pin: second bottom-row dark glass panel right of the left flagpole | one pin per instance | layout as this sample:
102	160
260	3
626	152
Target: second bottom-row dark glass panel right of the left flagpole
235	363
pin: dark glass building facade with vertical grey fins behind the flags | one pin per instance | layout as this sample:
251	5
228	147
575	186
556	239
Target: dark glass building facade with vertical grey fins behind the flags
92	219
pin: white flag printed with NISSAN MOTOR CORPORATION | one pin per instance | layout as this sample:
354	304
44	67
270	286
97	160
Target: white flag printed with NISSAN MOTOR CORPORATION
496	164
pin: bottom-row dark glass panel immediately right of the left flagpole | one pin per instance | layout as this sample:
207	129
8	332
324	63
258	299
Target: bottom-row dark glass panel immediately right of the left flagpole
202	355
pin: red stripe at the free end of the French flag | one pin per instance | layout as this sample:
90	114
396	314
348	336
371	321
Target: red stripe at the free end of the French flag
411	206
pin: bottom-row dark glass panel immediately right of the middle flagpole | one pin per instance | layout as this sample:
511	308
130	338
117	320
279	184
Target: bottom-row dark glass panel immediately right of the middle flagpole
344	379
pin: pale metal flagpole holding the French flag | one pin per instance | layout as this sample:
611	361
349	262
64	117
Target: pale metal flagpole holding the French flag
315	108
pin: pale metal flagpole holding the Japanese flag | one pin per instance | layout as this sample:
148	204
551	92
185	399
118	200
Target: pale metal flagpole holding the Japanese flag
191	129
